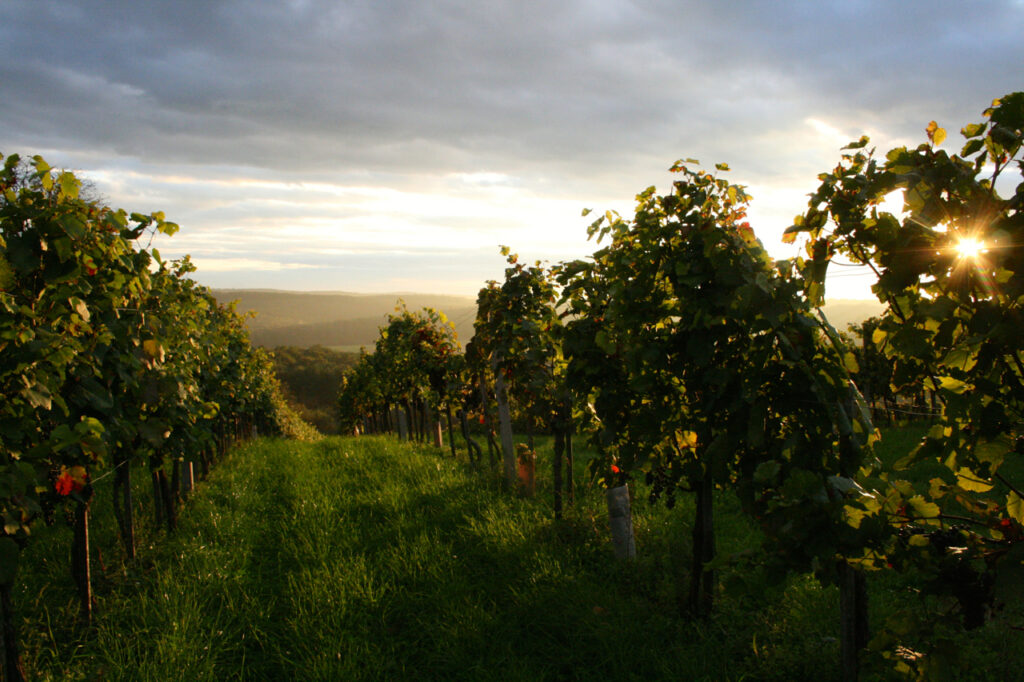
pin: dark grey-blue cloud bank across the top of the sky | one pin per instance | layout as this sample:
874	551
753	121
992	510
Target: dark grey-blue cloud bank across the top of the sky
307	87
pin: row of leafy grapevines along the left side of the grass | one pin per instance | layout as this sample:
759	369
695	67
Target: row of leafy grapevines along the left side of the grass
111	358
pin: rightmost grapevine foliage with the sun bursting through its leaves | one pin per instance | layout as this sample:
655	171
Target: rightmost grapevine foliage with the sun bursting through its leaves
953	326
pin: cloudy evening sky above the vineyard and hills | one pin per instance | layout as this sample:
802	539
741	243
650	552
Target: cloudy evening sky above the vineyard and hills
393	146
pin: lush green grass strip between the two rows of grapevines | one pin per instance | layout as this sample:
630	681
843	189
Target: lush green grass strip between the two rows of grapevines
368	560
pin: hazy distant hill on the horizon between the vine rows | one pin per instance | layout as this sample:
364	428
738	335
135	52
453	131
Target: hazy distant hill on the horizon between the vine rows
309	319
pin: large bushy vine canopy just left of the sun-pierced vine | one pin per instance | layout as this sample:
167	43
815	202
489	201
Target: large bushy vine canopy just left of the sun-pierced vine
699	358
